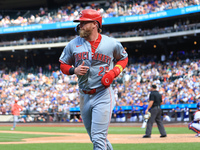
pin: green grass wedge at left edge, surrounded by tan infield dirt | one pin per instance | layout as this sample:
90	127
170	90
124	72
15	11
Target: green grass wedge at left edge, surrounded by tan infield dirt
15	137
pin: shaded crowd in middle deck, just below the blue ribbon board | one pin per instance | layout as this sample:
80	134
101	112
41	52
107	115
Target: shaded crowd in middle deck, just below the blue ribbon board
178	26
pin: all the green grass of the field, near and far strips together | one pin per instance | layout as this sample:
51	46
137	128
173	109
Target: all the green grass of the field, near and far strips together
4	137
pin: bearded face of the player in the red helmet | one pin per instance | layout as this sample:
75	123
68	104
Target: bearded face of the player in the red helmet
86	28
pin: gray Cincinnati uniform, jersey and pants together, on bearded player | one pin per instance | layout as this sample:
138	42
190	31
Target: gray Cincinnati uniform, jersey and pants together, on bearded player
96	109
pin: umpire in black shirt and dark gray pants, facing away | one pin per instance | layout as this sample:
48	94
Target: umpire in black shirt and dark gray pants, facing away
155	99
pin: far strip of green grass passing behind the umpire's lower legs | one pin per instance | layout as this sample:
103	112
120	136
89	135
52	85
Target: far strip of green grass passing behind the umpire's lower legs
112	130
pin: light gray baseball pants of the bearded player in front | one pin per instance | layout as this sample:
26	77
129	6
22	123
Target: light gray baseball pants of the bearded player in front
96	111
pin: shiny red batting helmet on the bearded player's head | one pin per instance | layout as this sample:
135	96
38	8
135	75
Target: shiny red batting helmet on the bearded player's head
90	15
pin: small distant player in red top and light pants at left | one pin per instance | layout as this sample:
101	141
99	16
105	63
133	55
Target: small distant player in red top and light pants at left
16	112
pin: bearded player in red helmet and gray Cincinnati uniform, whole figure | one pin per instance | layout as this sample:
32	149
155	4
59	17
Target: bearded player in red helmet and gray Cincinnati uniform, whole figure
96	60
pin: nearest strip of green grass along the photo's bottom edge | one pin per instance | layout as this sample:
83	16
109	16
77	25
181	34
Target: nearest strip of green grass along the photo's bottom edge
88	146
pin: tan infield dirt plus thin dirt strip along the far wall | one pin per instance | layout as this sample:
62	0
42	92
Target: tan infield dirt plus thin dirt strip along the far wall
113	138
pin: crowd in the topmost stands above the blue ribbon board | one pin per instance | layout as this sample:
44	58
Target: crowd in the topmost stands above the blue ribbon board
107	9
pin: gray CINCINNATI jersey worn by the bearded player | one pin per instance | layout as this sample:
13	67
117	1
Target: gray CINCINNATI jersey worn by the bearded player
79	50
